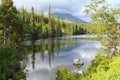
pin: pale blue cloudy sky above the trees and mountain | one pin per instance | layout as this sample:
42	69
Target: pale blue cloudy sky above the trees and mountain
74	7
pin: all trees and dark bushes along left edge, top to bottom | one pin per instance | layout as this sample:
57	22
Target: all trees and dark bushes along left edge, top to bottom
11	34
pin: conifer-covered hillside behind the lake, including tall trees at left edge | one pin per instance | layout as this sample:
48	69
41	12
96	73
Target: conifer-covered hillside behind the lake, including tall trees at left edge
29	25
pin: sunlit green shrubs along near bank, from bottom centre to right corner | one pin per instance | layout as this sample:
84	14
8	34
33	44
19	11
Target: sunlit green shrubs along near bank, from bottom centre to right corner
101	68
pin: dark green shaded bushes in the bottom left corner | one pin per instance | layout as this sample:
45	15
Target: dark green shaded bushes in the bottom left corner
10	64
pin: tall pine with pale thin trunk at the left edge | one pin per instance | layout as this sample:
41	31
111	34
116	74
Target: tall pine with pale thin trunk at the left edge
7	17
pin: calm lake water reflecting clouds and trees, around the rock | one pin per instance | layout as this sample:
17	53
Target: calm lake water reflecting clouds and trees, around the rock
46	56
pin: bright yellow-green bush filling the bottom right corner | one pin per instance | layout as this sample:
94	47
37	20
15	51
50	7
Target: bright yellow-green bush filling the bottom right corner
108	68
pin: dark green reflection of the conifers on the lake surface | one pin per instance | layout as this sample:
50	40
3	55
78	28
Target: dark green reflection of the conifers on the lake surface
52	46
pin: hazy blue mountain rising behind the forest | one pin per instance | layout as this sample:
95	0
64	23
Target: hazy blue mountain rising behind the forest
68	17
